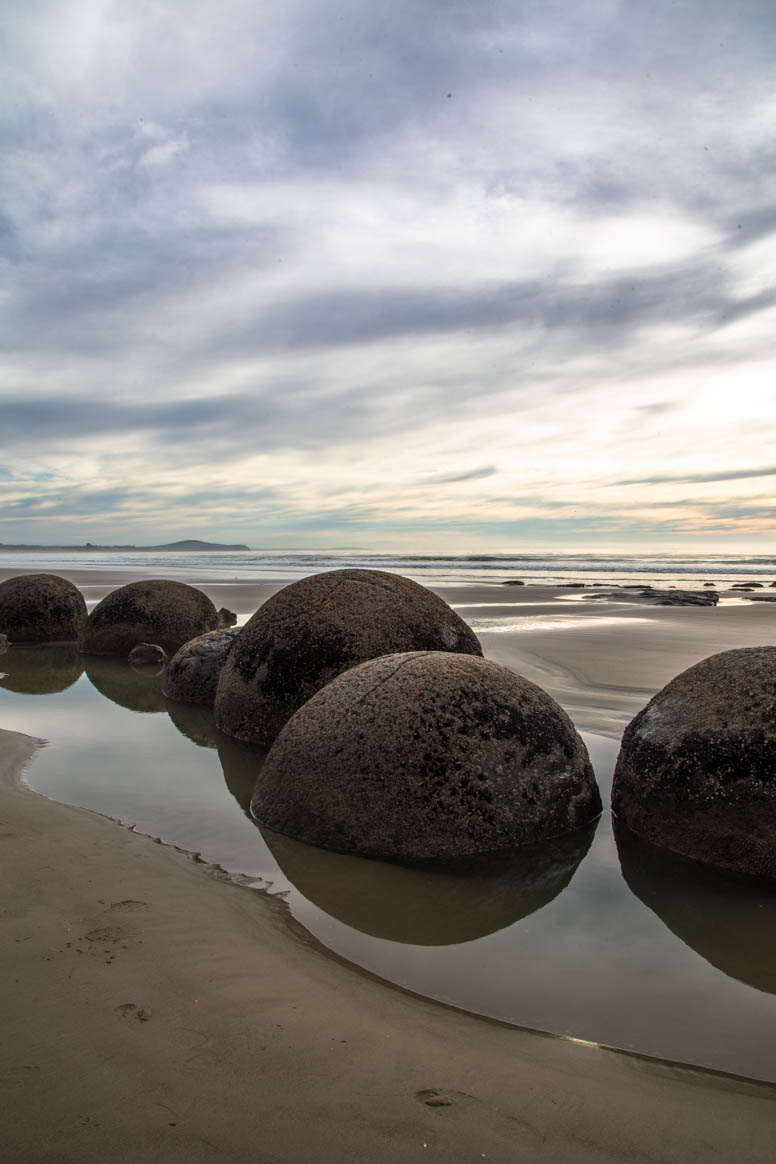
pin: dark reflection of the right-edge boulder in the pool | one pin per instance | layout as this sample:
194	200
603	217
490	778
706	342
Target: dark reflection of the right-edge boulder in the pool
730	921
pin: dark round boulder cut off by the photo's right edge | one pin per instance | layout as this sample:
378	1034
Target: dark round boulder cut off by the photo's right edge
697	769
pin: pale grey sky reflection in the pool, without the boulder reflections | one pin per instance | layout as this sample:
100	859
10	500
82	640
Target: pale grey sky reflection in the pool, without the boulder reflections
594	963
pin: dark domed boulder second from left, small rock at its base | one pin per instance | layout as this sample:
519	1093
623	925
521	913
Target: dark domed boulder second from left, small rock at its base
159	612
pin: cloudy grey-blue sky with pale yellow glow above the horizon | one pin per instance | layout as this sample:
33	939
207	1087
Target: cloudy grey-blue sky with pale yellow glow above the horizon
432	275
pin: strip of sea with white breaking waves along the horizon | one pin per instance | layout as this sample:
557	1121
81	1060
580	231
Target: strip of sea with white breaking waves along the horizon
432	570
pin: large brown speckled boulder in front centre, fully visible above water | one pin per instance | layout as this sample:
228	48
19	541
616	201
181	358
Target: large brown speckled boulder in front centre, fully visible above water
428	756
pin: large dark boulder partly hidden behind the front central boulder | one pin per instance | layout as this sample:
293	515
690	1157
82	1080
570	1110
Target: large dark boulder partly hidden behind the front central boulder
314	630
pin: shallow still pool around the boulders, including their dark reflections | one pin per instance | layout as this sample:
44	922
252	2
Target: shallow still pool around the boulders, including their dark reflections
624	949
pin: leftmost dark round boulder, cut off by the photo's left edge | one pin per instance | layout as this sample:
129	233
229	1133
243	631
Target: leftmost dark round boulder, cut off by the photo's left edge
41	608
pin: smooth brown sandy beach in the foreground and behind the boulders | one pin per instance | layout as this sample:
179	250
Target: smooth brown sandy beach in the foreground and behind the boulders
154	1010
